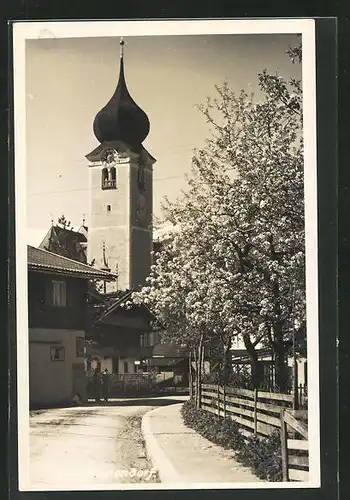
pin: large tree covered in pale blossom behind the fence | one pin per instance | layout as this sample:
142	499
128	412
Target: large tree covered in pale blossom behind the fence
234	263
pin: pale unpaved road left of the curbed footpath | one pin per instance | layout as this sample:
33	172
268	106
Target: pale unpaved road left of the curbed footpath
83	447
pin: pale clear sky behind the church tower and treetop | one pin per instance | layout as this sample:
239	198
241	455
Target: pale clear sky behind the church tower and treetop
69	80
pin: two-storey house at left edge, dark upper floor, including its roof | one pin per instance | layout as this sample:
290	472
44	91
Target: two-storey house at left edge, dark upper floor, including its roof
57	320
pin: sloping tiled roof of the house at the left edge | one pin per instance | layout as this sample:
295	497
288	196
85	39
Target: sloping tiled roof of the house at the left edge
46	262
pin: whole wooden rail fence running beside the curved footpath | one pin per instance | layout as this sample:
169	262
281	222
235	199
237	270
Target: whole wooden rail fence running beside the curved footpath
262	413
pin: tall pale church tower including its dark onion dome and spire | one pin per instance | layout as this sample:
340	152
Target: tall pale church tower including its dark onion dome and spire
120	182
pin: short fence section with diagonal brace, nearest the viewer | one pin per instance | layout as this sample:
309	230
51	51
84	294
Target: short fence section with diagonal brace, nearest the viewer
294	445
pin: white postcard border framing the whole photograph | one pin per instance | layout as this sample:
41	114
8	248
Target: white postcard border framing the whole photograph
23	31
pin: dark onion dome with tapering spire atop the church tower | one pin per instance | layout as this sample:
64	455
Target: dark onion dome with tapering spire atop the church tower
121	119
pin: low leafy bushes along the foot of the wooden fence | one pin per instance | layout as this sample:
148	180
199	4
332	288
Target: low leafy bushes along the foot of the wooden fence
262	455
